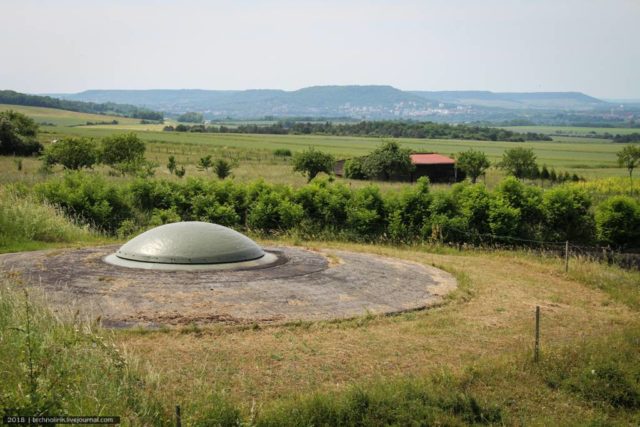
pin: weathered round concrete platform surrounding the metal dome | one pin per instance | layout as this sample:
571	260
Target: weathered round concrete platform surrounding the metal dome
302	285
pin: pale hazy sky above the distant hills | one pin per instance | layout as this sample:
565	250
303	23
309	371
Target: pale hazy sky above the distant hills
61	46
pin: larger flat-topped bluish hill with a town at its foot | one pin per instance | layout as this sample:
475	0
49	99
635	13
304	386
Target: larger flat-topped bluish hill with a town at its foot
348	101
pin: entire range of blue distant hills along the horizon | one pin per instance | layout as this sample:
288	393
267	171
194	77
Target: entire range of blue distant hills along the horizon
359	102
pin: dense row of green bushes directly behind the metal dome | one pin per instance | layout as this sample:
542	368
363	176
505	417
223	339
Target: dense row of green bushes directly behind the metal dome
466	213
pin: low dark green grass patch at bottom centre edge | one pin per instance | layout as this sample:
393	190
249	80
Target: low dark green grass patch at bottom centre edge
439	400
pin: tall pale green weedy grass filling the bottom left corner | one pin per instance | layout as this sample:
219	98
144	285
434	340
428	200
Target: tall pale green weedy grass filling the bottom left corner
49	366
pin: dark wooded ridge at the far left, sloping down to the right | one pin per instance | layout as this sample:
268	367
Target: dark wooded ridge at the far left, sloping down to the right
17	98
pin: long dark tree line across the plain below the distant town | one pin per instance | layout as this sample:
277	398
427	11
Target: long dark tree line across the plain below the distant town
389	129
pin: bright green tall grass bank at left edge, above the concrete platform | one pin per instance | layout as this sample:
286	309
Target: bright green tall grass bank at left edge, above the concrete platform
25	219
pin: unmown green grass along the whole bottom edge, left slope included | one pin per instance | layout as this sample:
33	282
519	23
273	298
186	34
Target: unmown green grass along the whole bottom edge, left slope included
57	364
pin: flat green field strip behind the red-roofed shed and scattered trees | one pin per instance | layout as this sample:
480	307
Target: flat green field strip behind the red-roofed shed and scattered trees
586	157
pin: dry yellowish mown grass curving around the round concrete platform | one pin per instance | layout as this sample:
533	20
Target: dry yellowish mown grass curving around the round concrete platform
488	325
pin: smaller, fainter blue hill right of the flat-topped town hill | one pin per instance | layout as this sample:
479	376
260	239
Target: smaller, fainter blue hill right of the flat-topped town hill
574	101
